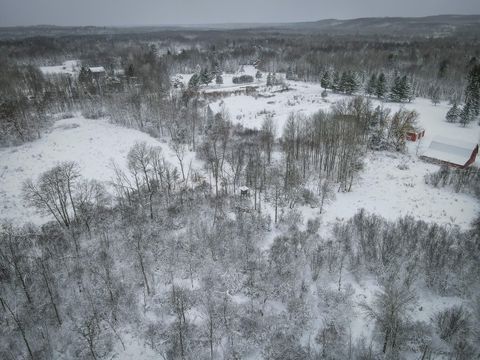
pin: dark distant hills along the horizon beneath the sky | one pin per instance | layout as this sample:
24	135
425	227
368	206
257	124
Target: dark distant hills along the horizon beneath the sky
438	26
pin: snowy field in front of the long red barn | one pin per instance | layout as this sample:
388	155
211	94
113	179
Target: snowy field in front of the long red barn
387	190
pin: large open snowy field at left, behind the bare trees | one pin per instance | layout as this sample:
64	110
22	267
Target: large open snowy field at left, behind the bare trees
93	144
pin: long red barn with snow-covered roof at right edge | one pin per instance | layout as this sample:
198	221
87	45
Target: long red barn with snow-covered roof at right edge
452	152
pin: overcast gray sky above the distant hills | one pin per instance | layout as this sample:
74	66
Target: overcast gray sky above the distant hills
159	12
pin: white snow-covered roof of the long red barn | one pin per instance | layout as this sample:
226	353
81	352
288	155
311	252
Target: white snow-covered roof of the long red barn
454	151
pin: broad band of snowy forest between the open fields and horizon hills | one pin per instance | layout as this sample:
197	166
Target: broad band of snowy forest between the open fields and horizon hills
138	74
